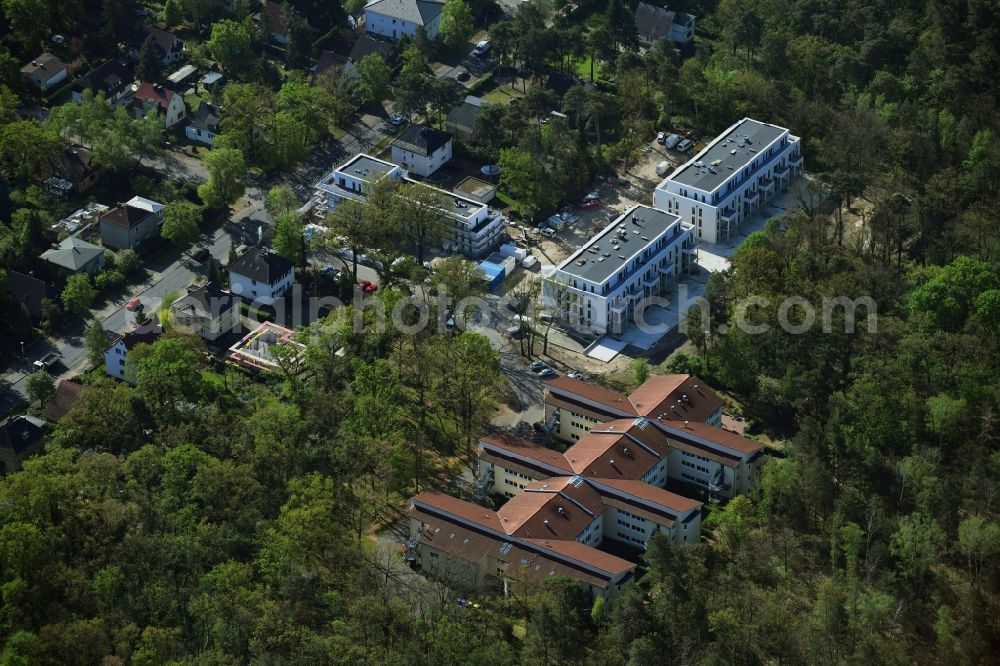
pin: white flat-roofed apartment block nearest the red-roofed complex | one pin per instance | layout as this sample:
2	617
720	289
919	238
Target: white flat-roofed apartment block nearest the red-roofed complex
636	257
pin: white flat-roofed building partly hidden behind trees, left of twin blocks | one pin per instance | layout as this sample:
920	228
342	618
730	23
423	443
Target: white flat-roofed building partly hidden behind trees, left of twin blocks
474	230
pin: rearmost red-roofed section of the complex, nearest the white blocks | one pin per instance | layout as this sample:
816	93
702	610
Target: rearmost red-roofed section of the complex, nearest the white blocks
685	410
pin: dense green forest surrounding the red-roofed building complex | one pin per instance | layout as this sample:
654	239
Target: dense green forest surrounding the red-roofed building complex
201	518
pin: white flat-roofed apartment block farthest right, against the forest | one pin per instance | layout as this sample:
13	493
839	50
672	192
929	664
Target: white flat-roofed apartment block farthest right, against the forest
731	179
